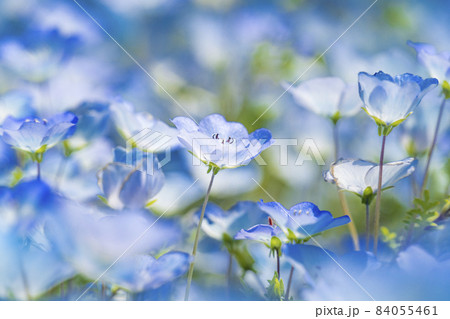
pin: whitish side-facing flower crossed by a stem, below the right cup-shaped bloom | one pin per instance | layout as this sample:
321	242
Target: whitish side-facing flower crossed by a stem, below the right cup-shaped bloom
361	177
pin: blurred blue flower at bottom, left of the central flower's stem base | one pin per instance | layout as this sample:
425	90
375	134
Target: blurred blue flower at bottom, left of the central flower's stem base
143	272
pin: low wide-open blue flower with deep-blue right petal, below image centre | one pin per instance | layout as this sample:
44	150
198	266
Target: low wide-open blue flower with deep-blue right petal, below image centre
299	223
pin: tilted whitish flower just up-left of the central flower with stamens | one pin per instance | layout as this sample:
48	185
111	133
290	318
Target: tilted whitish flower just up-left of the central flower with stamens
141	129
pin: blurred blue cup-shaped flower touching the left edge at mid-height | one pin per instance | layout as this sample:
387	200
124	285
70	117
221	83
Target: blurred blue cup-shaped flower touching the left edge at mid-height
35	135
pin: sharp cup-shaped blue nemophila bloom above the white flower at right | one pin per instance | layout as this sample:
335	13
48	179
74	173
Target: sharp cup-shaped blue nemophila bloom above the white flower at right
390	100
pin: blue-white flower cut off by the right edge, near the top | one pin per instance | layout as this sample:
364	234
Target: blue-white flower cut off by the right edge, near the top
437	64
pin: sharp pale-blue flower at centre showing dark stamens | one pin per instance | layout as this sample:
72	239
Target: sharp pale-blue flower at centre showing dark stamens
221	144
